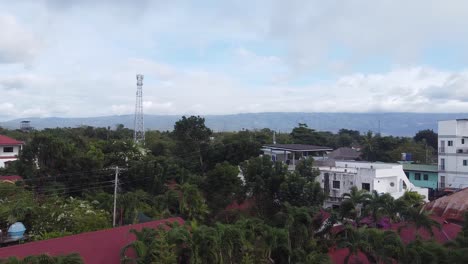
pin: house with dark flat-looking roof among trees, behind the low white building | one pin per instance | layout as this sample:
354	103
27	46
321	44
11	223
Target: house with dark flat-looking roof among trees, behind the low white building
290	154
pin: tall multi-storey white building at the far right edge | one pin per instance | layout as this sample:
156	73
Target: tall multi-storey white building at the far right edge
453	153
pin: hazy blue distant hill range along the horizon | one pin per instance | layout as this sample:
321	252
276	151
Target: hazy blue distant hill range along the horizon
397	124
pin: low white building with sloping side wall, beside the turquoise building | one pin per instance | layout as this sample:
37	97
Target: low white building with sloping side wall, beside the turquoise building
382	177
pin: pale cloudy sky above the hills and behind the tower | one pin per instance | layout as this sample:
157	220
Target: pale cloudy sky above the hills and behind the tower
80	58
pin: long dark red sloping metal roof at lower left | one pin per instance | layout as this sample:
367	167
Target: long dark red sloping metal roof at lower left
94	247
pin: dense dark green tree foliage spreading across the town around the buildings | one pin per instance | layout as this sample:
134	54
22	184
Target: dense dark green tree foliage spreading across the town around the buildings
194	173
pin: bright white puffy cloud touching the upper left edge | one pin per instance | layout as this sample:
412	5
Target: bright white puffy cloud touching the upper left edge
17	44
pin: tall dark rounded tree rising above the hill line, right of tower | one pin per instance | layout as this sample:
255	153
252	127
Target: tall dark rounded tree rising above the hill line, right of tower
192	136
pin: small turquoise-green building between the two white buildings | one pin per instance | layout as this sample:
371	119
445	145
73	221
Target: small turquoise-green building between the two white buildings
422	175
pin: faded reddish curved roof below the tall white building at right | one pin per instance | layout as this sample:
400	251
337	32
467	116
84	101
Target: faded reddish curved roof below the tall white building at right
451	207
